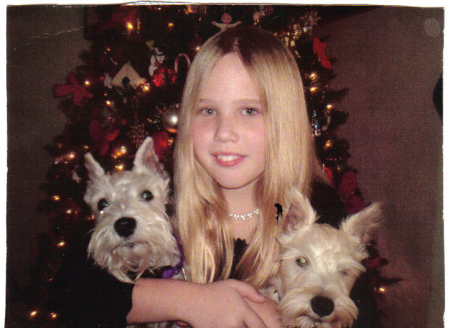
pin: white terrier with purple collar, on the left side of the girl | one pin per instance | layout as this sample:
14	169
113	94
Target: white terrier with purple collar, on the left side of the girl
132	232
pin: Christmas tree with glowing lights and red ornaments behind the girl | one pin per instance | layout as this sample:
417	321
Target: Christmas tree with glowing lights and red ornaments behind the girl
130	87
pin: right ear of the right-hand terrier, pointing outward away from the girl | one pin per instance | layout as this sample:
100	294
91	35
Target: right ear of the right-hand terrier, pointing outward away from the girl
362	224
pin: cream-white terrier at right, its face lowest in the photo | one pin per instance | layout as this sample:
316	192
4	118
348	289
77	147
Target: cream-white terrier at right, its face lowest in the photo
319	265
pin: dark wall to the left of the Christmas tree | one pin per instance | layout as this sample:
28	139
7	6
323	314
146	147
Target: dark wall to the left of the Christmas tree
43	45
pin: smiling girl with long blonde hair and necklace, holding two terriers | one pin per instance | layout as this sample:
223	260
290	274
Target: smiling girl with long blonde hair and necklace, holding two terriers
243	141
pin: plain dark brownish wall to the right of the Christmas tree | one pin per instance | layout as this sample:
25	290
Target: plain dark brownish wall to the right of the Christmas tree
391	60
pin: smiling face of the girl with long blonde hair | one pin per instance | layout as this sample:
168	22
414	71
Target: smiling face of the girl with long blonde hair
228	126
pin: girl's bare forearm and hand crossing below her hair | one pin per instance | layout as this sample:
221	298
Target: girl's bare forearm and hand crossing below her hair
218	304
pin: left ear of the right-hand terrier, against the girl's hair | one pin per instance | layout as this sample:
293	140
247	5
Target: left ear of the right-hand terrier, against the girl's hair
300	213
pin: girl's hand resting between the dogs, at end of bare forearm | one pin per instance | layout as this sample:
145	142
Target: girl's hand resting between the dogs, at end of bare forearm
225	304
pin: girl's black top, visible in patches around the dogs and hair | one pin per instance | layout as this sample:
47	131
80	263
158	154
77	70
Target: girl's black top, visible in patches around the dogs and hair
85	296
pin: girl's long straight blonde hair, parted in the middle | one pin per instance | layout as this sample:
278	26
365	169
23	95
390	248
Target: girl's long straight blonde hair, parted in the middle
201	218
